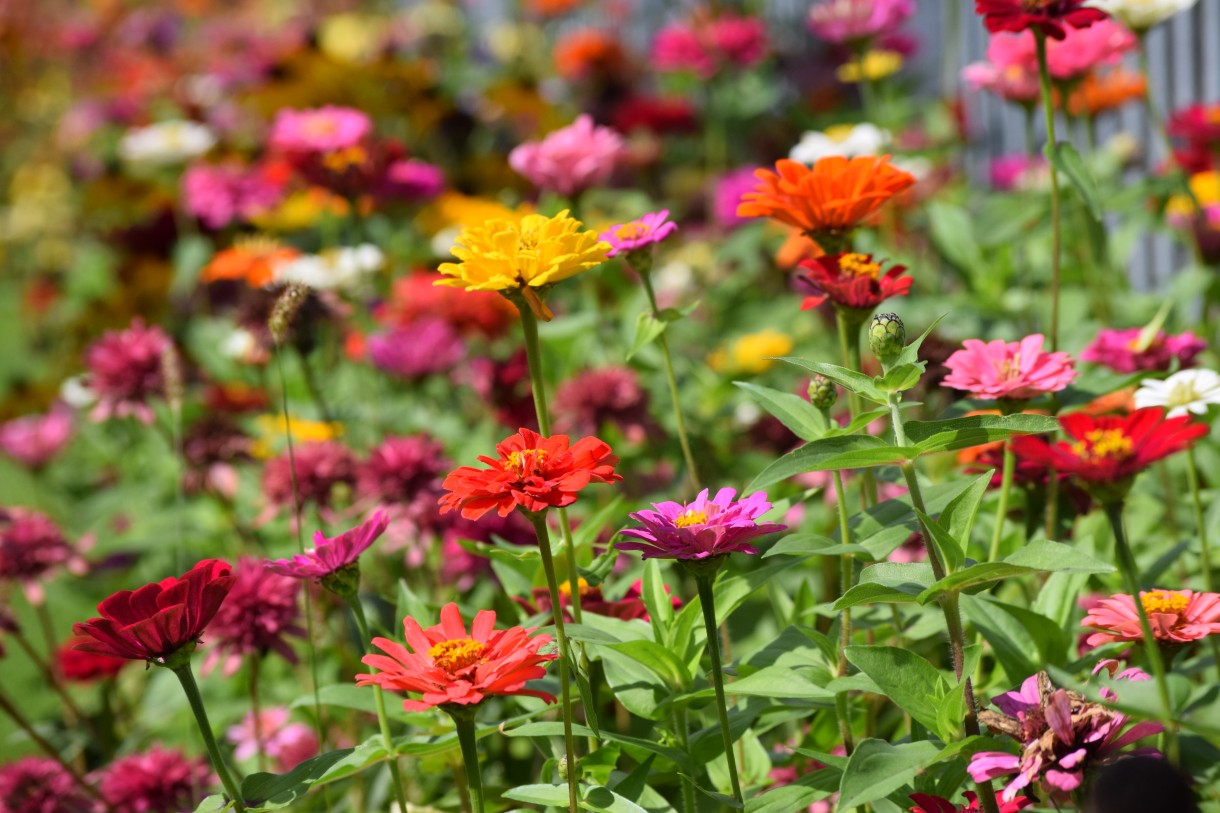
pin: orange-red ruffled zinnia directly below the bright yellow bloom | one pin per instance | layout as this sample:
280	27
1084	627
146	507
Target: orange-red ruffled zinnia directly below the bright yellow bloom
533	472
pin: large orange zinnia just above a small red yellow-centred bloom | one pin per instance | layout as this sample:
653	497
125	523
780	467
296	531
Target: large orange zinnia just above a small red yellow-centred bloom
833	197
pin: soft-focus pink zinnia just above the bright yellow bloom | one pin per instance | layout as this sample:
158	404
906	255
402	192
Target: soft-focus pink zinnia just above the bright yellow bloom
570	159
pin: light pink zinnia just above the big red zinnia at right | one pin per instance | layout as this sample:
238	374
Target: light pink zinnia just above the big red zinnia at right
1002	369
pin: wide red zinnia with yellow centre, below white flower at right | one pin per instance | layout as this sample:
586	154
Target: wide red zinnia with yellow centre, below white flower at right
1111	450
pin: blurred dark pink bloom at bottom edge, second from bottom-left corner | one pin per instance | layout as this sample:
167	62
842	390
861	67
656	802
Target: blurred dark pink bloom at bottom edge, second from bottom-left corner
157	782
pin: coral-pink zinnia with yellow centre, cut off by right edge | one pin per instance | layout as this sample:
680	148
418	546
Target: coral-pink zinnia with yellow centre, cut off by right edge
1177	617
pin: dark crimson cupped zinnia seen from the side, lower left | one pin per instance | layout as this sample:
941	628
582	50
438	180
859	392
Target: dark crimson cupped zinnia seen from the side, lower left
159	620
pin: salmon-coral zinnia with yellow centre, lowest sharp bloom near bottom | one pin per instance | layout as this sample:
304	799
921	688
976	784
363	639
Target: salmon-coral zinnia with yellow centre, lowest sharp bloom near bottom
448	666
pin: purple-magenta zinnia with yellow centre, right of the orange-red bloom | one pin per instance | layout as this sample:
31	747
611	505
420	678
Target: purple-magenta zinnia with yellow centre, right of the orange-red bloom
701	529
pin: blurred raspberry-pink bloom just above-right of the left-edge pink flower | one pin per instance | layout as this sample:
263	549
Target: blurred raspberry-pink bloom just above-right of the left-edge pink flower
125	372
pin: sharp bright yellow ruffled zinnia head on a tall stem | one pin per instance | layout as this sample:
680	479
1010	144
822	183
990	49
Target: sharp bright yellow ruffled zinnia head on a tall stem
523	255
